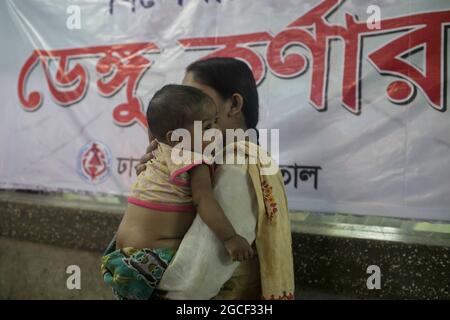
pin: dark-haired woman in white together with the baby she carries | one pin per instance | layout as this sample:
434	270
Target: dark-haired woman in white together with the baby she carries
238	245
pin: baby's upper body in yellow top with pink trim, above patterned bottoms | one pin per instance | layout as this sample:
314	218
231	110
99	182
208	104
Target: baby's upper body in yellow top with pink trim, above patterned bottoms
166	196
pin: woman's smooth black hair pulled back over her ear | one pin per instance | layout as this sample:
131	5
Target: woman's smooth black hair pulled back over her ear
228	76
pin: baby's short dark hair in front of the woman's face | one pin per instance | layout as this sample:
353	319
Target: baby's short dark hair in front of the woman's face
174	106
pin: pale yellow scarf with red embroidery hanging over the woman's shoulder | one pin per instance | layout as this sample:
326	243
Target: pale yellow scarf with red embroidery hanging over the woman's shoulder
273	233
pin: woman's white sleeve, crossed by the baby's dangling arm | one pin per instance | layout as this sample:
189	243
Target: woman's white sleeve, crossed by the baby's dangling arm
201	265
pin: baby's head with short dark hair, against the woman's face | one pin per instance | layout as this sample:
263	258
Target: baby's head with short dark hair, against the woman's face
177	106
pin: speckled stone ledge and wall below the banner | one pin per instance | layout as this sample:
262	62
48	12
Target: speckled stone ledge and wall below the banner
41	232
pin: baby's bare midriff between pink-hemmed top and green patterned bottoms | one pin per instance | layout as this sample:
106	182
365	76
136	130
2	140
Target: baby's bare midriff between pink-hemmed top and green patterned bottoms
146	228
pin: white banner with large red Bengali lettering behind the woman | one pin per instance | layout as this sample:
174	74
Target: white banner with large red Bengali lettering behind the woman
357	89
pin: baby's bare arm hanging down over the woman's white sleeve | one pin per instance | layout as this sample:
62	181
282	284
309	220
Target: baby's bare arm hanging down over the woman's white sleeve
213	215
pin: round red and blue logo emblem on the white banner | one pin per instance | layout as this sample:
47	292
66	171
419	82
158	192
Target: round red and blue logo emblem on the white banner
94	162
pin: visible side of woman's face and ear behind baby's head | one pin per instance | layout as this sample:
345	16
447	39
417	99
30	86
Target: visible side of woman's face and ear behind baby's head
223	106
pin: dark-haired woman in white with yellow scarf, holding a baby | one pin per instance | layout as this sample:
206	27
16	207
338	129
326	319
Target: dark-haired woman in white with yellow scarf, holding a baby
255	204
